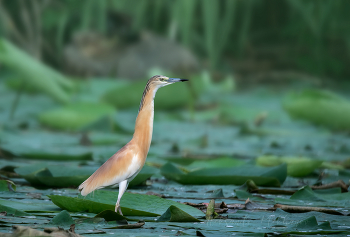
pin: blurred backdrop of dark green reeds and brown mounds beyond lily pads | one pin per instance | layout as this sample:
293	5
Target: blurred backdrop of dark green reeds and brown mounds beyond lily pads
253	39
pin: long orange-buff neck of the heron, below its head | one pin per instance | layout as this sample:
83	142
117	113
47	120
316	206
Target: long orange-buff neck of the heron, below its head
144	121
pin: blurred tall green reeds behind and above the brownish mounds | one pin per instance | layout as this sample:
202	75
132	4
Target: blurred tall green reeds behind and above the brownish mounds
310	36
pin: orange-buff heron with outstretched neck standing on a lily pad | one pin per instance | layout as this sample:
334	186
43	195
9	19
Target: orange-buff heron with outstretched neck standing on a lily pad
126	163
